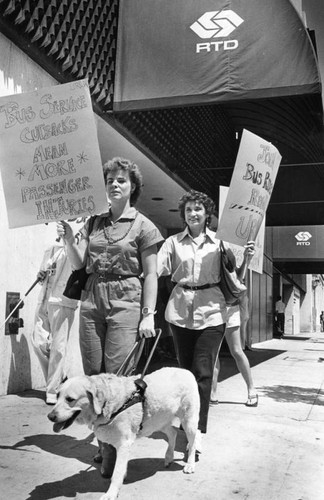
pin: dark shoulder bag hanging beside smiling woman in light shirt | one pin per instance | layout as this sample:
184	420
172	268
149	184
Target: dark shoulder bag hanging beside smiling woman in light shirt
230	285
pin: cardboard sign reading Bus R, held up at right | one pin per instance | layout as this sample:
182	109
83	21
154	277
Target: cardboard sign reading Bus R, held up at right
253	179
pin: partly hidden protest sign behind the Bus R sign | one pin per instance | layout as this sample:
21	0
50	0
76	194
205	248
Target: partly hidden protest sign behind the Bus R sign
256	263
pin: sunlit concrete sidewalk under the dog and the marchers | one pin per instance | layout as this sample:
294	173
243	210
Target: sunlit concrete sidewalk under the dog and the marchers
272	452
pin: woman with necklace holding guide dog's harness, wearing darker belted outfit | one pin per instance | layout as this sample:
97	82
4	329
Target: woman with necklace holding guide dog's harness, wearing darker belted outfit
119	250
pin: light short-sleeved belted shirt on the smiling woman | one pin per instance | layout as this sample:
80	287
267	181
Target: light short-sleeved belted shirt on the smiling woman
194	264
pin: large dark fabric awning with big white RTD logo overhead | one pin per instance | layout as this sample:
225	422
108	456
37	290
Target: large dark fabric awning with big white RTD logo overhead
211	51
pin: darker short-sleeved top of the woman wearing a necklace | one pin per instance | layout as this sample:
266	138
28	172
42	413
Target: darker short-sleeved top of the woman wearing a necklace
116	247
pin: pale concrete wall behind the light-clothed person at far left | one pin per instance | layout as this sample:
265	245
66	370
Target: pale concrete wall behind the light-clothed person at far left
21	250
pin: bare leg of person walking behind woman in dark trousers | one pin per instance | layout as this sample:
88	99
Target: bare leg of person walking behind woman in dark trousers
233	340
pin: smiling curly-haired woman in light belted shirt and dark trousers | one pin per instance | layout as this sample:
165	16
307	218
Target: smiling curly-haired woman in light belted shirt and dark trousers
196	309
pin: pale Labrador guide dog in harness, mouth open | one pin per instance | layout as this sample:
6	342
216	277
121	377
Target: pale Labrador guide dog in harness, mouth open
96	401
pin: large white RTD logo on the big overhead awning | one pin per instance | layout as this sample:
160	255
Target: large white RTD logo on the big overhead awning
216	24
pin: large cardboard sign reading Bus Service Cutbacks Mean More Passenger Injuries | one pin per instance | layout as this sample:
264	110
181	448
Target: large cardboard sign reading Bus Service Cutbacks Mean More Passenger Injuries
49	155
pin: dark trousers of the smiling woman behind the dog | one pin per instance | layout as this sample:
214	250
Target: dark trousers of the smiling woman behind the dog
197	351
